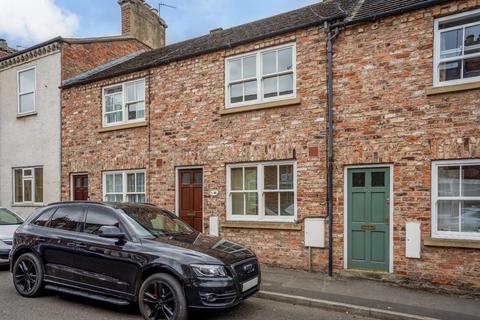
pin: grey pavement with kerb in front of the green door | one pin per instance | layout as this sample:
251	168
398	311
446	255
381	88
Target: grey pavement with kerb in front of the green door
363	297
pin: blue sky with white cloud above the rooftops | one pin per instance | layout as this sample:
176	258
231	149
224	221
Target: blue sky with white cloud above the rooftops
24	23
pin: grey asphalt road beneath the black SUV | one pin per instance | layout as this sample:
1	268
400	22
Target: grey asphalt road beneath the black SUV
53	306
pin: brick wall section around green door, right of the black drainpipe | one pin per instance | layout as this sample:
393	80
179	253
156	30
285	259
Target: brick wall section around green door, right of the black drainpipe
383	115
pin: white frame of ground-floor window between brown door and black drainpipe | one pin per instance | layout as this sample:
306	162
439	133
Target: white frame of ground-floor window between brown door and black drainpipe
261	192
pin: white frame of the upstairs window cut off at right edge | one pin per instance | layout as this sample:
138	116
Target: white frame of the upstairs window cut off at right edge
437	47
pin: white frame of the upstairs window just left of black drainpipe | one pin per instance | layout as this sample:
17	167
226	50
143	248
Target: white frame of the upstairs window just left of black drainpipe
259	76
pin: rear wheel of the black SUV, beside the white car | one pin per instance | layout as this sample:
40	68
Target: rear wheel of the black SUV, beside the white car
28	275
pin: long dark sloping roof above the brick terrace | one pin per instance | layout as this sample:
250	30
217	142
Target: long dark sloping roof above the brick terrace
352	11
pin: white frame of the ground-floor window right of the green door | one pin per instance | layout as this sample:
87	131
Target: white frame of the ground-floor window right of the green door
435	198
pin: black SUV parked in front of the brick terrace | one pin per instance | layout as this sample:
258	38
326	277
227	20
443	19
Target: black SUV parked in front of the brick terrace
126	253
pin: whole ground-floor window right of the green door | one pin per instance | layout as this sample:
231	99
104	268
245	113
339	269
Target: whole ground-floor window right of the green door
456	199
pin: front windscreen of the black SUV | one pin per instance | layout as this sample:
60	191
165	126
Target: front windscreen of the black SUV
151	221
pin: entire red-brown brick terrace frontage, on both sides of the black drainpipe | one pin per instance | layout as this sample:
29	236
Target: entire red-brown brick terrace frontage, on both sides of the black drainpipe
382	115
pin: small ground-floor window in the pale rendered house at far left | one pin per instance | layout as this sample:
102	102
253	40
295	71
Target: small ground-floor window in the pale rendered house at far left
28	185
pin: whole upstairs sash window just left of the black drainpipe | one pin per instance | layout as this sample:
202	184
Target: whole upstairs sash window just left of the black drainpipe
262	76
